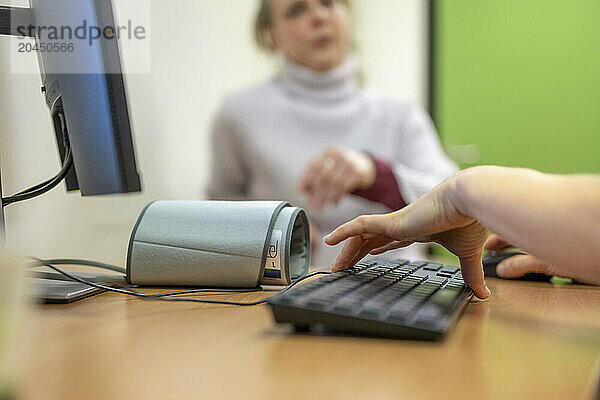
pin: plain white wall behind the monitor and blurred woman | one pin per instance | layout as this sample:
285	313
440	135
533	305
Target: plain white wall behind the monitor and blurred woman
201	50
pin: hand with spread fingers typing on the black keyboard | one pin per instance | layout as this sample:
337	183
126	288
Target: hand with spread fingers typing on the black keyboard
436	217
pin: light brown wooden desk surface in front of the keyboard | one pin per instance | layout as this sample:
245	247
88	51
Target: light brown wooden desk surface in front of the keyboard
530	340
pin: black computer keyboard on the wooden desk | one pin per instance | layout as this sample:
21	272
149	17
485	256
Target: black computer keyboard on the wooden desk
399	299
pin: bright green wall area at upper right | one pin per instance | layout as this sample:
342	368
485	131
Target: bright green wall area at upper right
521	80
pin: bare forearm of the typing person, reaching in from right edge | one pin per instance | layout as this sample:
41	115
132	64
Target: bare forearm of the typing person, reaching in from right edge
556	218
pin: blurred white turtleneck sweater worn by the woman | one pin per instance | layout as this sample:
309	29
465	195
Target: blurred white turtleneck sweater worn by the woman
265	137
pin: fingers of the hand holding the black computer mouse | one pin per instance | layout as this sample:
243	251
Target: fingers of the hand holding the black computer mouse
517	266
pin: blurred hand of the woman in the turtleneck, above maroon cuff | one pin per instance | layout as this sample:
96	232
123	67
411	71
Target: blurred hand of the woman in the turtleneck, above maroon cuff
336	173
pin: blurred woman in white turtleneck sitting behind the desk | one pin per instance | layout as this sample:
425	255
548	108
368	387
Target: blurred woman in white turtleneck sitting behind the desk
313	137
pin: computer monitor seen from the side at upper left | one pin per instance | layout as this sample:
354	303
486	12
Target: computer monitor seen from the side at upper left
85	82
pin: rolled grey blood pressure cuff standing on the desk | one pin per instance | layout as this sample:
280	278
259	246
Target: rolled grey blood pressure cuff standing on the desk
218	244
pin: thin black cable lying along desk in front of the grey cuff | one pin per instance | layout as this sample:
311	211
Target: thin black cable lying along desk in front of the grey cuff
165	296
